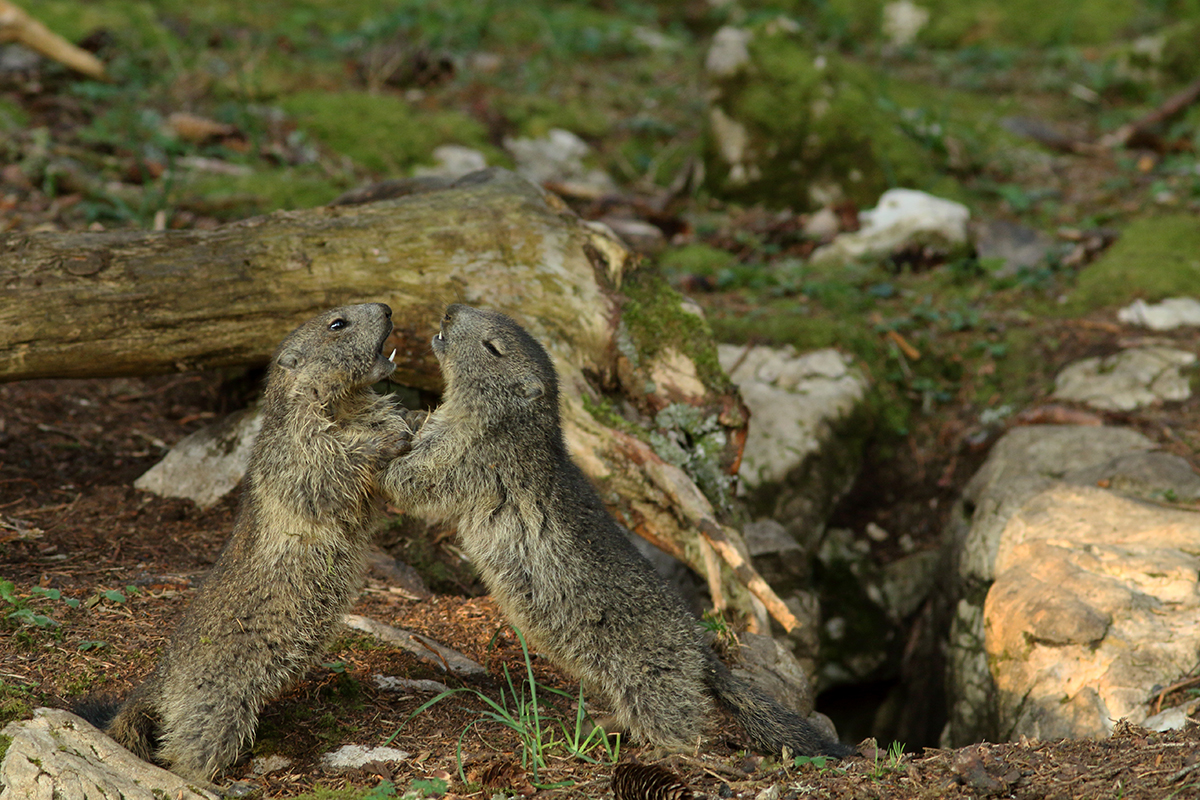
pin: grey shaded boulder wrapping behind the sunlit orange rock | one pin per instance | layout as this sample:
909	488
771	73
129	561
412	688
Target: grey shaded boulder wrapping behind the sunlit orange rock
1024	465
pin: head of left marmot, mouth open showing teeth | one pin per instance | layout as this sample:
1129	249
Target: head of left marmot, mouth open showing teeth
334	354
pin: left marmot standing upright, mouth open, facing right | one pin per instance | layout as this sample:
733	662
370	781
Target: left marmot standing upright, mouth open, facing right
295	561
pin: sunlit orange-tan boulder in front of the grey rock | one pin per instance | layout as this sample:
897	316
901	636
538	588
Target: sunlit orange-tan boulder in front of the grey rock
1096	603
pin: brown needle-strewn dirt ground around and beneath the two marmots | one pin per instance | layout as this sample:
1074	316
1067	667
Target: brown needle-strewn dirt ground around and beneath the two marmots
71	522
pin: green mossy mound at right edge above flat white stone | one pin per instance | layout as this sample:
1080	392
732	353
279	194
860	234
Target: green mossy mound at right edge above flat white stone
1155	258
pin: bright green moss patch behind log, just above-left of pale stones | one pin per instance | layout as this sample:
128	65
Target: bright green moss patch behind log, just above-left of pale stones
381	133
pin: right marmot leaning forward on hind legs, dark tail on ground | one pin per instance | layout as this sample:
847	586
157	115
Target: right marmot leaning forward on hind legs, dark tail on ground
493	460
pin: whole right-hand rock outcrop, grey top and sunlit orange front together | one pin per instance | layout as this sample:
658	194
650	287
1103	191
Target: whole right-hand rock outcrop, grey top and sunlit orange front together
1004	616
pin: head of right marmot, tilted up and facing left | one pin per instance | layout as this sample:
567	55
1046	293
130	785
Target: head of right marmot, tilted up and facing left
494	368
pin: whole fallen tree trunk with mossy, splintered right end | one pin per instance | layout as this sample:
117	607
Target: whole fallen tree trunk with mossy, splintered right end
134	303
